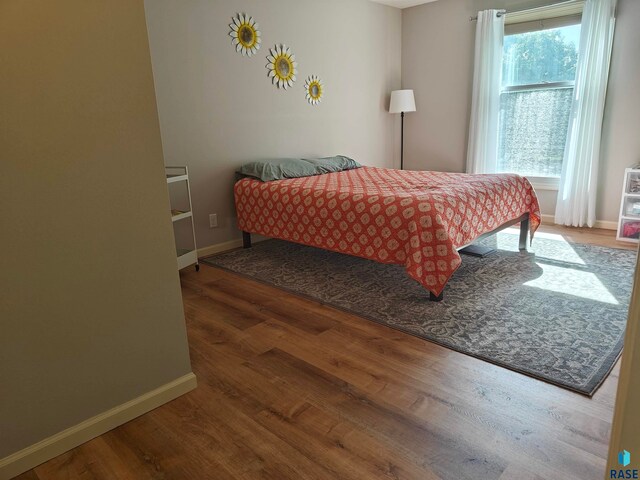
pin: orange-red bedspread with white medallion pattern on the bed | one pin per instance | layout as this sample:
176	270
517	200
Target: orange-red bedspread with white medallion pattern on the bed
417	219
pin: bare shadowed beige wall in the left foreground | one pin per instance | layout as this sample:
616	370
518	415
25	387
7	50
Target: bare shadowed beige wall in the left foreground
90	311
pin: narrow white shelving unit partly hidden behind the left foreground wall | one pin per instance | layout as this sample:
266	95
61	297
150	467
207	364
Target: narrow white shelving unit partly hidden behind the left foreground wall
181	213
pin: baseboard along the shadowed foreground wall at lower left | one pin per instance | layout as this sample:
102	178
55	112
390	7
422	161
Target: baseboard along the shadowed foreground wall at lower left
51	447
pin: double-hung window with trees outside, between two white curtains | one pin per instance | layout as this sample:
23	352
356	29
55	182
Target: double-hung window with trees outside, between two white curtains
538	74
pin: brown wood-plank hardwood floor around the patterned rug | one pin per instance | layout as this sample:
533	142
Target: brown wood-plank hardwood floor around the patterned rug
292	389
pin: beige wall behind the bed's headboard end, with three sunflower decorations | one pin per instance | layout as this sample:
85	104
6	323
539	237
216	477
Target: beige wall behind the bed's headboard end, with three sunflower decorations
218	109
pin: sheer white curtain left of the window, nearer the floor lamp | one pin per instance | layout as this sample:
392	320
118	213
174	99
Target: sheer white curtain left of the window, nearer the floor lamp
482	151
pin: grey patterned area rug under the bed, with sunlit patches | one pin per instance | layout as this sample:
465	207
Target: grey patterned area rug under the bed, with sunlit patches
556	313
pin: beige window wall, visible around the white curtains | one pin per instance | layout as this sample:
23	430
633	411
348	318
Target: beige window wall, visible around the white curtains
437	62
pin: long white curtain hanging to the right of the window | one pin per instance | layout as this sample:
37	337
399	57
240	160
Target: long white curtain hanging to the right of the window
576	204
